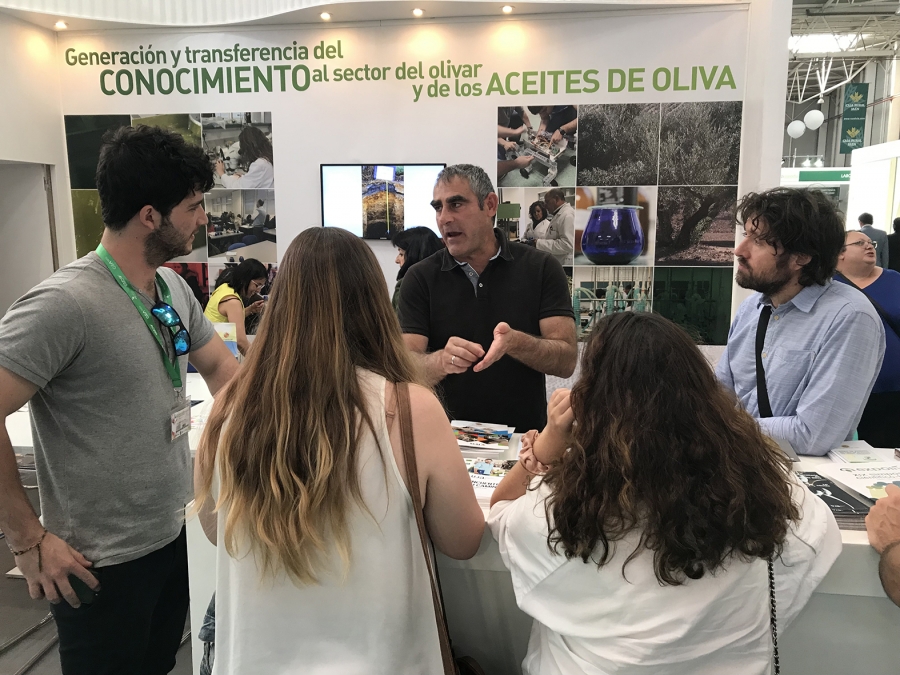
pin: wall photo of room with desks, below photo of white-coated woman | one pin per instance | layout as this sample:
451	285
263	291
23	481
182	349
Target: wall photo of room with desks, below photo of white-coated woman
241	224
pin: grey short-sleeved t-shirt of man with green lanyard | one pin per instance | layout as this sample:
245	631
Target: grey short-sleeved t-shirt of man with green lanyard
112	483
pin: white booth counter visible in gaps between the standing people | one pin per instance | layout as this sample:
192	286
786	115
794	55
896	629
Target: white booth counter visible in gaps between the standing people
848	626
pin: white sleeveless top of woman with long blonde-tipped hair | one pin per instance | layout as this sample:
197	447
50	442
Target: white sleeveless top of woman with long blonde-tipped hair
379	620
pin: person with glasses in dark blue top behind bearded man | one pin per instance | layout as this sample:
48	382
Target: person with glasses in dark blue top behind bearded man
856	267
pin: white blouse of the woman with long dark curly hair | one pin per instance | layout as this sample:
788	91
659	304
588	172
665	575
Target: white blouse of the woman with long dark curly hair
599	622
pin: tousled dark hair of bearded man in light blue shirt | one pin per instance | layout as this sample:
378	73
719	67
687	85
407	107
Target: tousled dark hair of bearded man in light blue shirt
798	220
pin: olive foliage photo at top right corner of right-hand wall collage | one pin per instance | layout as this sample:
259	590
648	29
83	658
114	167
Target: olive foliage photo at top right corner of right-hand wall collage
700	143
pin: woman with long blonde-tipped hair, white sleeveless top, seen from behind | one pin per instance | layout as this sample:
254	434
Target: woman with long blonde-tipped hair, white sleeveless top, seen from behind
319	564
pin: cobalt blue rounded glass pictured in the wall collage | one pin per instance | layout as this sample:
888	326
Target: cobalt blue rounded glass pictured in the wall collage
613	235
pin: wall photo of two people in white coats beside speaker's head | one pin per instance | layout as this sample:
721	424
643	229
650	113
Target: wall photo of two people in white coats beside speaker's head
540	217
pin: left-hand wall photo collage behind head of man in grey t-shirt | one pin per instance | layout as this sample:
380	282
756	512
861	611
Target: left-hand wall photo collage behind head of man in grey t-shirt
240	207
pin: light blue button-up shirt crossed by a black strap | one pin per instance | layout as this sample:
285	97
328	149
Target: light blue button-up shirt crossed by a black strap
822	353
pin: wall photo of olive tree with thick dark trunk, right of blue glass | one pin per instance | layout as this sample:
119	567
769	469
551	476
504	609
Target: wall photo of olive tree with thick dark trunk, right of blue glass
695	225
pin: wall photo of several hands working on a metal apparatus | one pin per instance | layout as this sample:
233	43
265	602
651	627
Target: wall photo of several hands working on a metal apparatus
537	146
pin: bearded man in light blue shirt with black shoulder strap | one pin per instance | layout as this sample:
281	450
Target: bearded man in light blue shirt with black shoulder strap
815	346
